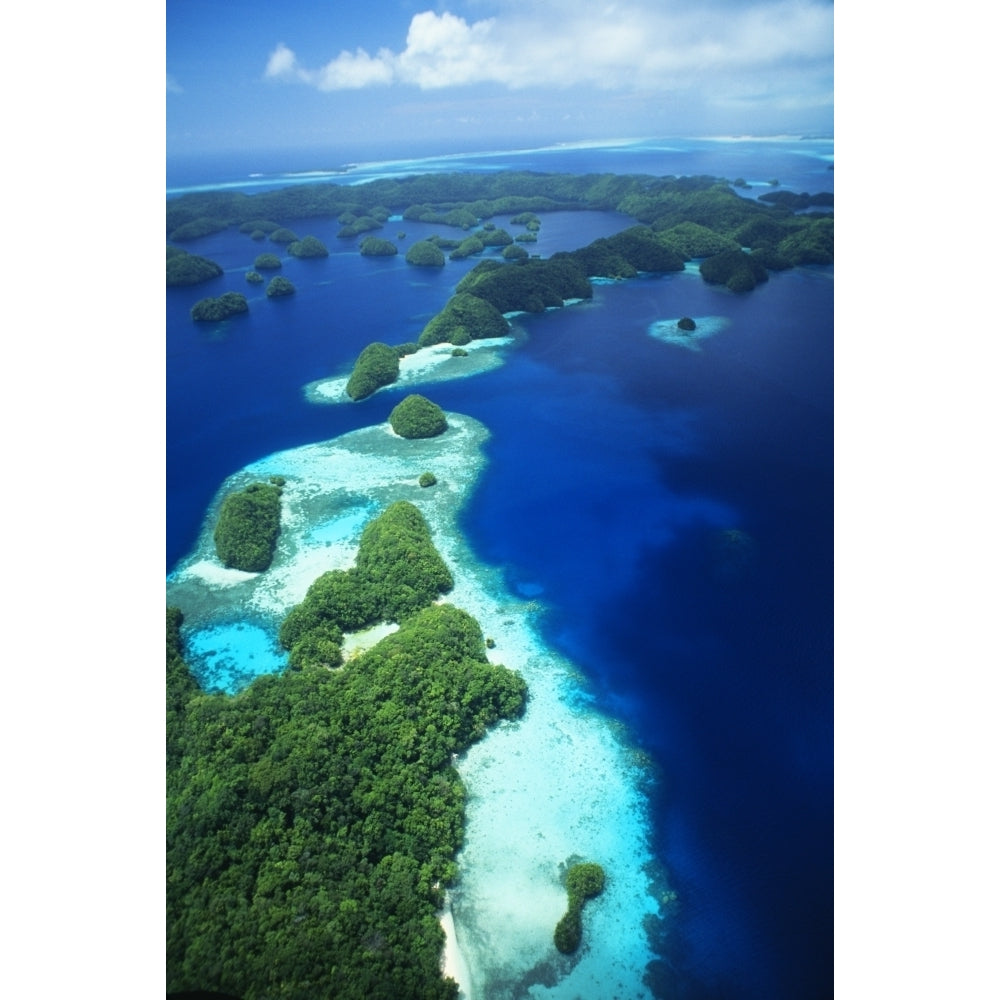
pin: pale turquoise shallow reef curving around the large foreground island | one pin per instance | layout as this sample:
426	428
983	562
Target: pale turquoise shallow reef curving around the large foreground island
559	785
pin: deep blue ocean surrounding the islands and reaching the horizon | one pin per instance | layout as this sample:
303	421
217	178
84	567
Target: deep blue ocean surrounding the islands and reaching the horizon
669	504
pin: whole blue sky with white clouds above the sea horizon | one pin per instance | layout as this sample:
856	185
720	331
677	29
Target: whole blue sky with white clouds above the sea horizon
467	75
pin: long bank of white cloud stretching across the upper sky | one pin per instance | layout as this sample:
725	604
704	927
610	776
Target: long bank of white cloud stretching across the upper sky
639	45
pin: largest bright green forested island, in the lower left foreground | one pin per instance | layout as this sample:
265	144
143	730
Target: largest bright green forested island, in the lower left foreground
313	819
